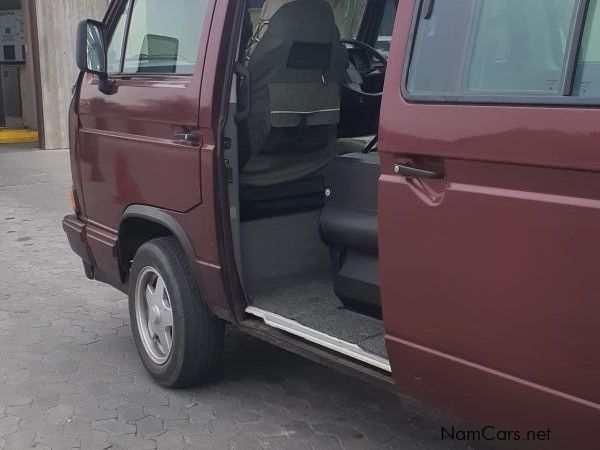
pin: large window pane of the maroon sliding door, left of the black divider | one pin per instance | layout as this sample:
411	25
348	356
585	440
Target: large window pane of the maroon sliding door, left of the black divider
493	47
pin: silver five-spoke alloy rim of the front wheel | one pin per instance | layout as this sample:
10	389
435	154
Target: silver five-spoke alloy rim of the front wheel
154	315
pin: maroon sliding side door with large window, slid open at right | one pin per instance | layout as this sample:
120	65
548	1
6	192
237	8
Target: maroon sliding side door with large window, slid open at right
489	214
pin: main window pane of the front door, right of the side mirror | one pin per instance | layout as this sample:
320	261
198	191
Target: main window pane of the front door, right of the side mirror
164	36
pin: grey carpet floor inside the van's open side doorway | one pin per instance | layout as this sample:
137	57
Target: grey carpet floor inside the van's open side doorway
314	304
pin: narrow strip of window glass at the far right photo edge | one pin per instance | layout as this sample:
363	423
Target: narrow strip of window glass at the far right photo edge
587	77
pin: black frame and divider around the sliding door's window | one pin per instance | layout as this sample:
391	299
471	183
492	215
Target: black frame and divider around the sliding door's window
564	98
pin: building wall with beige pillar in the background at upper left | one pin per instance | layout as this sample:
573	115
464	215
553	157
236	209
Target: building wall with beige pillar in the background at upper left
37	63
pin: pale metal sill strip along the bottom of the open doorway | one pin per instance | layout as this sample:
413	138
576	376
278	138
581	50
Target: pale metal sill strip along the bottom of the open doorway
322	339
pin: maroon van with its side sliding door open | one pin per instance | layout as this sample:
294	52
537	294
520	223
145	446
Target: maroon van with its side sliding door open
409	190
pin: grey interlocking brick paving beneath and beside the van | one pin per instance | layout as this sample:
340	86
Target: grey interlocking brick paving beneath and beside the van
70	376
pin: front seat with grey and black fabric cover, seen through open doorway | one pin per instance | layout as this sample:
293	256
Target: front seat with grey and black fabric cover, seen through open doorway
296	64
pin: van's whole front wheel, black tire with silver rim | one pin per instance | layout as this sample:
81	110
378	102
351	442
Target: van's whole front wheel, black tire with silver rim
188	352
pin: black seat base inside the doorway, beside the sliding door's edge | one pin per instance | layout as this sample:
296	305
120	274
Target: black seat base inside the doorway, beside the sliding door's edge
349	226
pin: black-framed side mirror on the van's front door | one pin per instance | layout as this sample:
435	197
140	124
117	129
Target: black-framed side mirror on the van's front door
91	48
